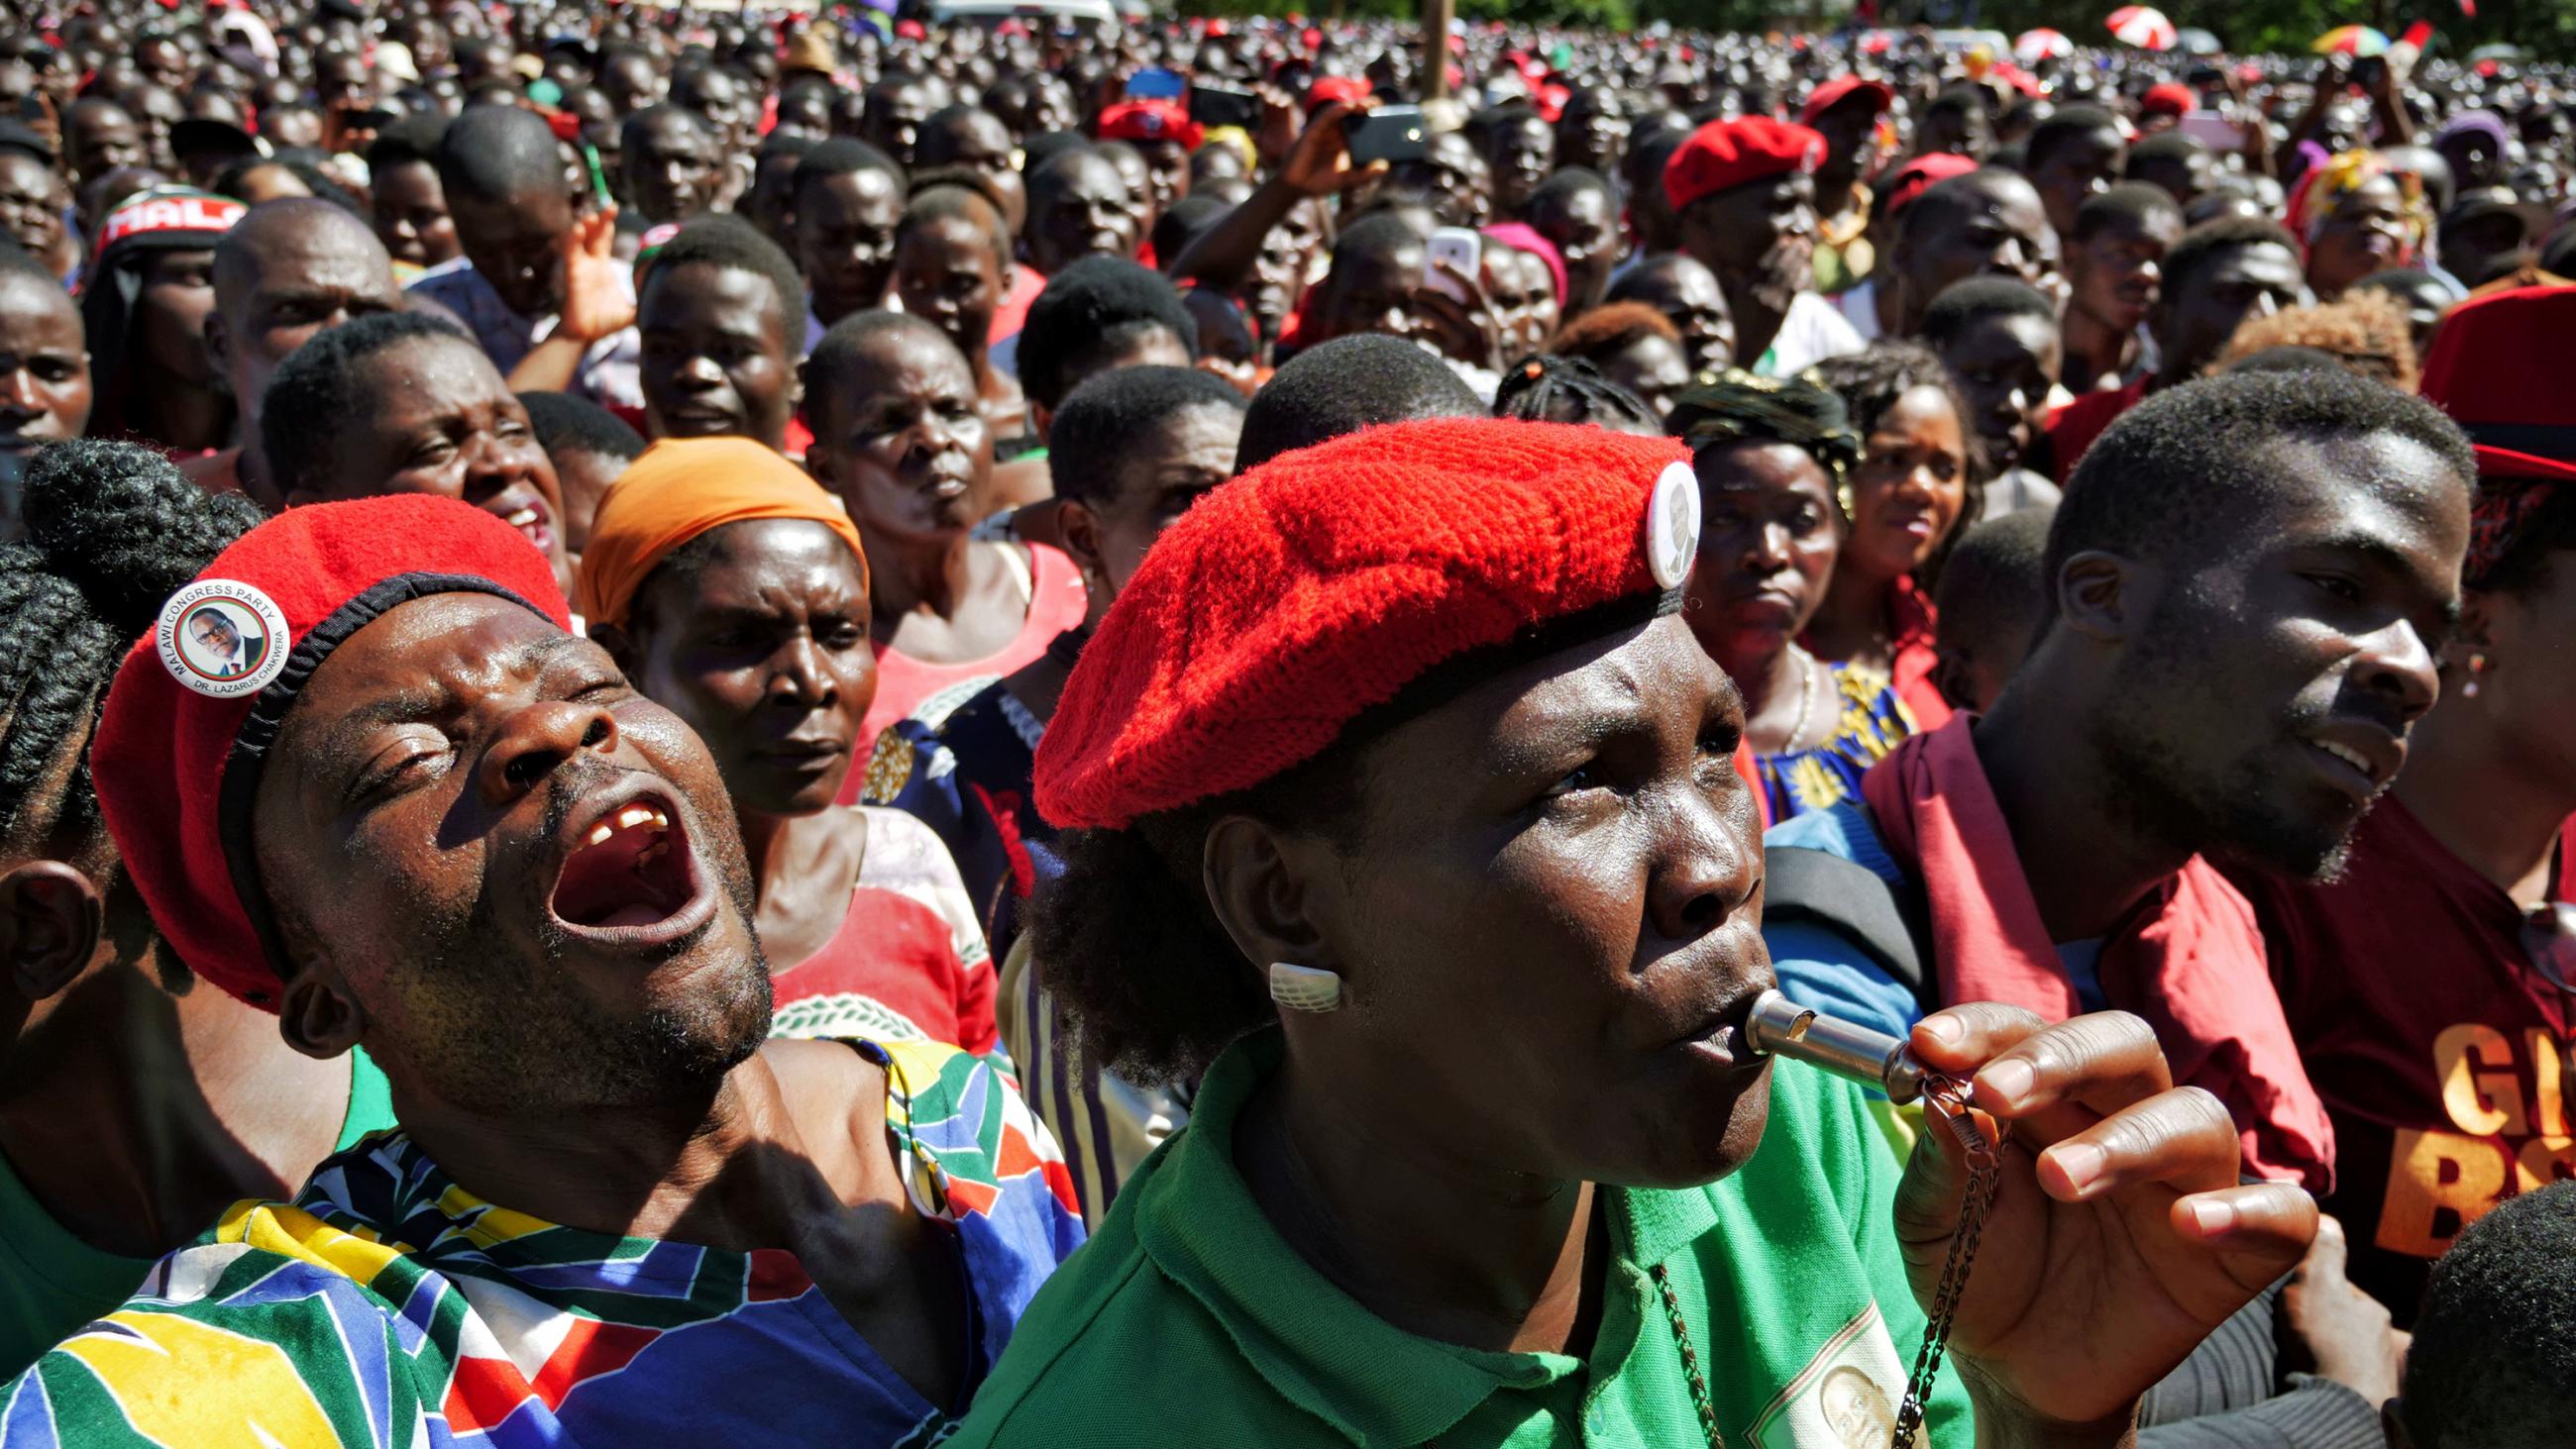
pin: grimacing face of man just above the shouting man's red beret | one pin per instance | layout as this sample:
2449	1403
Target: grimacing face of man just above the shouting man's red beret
439	421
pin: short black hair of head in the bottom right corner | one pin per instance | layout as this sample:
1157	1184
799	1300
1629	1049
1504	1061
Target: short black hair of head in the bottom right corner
2495	1350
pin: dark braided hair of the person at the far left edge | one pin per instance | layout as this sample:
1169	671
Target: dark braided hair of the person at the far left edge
112	534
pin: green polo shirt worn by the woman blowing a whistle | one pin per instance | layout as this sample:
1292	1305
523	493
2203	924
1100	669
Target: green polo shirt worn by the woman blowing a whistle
1191	1322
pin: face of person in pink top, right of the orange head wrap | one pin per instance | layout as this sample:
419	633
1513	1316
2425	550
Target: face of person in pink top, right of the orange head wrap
903	441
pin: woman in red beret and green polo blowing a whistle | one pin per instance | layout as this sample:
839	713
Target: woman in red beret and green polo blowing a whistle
1400	817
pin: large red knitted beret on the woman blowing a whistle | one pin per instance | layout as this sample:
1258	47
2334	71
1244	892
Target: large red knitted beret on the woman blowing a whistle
1328	580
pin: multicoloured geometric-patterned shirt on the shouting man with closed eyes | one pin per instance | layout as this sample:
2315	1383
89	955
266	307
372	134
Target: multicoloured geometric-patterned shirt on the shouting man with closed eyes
393	1309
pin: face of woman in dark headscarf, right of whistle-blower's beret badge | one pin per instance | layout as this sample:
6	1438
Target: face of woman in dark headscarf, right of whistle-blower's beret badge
1768	547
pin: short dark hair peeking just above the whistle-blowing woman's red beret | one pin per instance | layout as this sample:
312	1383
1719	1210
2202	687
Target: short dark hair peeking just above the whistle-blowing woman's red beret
1343	387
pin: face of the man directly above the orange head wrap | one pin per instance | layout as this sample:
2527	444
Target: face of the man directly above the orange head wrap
717	356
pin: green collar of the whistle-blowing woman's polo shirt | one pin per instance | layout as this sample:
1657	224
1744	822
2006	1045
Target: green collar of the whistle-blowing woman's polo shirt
1310	1340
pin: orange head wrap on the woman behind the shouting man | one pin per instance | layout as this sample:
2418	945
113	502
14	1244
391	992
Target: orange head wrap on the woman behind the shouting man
679	490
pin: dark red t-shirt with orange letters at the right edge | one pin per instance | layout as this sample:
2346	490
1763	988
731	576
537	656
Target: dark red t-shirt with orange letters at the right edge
2438	1049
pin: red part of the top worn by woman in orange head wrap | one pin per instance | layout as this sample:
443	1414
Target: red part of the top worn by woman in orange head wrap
890	966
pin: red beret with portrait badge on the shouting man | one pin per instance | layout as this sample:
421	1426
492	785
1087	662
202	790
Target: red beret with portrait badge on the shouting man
194	706
